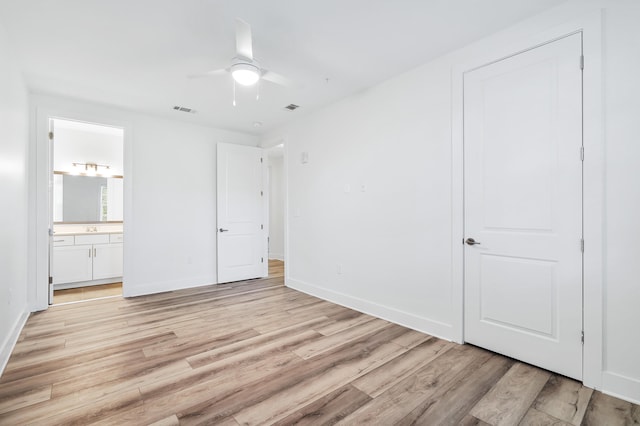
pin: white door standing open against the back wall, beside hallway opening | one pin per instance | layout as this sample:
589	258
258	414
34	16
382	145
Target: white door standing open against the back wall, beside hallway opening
242	248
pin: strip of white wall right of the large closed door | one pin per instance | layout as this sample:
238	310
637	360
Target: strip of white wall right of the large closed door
621	354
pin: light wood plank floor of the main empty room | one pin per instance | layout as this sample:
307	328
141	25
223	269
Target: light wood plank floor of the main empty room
257	352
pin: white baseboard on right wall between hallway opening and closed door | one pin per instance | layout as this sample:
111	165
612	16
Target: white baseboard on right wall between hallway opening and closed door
412	321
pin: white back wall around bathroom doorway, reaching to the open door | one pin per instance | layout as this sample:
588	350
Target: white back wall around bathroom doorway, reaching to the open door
170	194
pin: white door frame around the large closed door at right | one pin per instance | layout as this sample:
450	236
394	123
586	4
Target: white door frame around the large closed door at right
590	26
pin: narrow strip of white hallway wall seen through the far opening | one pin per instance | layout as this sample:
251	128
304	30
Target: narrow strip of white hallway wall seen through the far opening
276	208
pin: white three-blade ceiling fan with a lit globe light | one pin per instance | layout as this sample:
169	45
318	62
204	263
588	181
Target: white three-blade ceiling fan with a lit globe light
244	69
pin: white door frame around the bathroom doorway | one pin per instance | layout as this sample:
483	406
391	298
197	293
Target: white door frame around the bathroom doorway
41	213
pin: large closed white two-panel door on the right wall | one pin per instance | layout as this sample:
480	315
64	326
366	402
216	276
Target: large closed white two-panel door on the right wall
523	206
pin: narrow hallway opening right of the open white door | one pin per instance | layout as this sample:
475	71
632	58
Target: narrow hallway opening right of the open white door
276	178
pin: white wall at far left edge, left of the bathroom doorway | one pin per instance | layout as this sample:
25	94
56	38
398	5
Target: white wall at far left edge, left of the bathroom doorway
14	199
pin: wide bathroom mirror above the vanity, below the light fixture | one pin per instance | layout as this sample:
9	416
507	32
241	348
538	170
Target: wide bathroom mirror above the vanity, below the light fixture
87	199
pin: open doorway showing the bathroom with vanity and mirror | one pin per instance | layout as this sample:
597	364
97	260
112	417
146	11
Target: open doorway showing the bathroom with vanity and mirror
87	205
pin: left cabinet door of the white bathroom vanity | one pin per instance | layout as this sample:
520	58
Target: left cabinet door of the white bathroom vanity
71	264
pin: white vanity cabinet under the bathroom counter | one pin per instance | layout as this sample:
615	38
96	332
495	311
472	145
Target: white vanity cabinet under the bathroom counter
85	258
